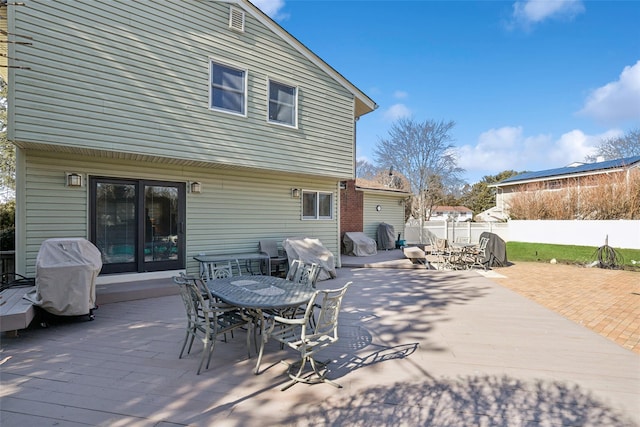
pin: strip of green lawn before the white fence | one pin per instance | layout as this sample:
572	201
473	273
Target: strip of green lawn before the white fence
567	254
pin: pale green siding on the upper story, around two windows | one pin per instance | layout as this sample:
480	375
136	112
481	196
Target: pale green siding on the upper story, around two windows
133	78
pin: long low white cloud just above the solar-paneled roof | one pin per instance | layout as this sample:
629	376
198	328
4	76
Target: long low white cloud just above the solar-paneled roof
508	148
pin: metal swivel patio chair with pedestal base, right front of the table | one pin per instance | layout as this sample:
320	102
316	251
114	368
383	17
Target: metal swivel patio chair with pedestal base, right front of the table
306	338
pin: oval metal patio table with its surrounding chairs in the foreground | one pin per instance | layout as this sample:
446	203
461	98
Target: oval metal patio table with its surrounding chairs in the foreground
289	310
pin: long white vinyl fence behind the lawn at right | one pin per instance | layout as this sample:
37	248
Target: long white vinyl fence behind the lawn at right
620	233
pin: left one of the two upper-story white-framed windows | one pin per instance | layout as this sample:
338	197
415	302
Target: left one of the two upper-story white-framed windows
228	88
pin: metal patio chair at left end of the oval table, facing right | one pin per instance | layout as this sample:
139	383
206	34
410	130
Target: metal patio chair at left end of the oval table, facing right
207	319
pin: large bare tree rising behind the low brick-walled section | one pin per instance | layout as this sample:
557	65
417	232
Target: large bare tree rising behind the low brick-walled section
424	154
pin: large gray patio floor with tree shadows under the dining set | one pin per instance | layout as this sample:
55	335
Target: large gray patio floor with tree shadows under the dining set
418	347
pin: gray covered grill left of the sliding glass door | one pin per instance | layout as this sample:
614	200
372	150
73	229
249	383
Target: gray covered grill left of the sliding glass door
66	272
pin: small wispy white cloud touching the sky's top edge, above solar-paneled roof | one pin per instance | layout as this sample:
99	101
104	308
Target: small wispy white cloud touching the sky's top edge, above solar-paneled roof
528	12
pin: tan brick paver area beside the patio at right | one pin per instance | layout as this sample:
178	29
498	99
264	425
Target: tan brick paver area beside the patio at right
606	301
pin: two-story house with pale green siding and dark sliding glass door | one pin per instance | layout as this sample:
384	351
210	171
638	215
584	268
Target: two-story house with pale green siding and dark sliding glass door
162	130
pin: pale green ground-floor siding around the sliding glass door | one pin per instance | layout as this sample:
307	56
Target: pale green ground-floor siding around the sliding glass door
235	209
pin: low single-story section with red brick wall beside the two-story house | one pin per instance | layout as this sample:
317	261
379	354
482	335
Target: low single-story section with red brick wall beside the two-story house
365	204
